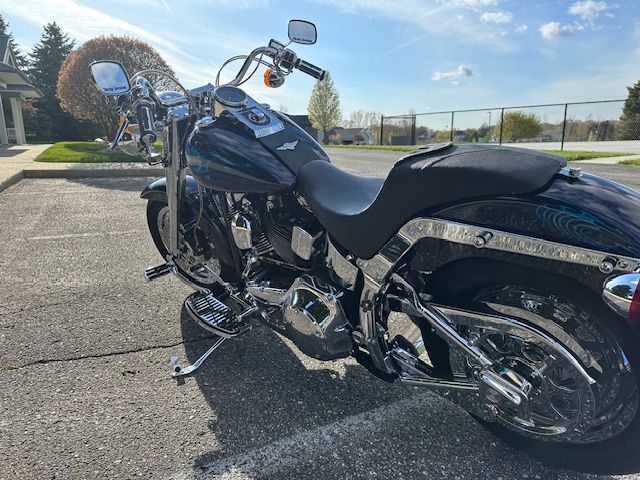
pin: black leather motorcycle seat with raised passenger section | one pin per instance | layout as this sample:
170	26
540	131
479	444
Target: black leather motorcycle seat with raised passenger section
363	213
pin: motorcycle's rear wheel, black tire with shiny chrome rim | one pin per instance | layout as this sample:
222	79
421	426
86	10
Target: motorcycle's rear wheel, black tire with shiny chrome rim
592	428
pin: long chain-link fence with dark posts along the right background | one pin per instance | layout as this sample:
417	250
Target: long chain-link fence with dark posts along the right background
601	126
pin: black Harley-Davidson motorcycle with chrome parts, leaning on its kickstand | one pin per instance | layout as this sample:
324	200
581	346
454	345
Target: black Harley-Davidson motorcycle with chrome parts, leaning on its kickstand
498	276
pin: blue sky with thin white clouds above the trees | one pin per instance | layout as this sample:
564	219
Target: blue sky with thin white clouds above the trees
388	56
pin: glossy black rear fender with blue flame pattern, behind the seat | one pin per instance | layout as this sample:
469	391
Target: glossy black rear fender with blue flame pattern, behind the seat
588	212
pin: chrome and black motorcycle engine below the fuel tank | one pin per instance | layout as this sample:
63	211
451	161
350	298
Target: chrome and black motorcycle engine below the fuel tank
279	239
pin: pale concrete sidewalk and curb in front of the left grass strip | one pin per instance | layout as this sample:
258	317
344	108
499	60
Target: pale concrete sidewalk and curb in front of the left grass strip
17	162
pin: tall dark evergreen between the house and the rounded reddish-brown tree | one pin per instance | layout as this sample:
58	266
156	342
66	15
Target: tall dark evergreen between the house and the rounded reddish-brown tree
47	56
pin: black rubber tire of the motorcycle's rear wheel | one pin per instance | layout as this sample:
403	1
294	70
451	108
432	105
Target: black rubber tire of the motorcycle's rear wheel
611	443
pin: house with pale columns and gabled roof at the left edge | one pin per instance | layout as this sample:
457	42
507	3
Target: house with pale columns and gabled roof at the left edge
15	88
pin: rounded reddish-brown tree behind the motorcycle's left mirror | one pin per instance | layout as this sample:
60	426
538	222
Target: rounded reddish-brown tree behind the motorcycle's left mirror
77	93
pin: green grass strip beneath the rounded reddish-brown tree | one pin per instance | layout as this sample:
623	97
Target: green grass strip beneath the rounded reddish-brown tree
85	152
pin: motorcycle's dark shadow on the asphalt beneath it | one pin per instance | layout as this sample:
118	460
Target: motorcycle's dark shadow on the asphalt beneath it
261	393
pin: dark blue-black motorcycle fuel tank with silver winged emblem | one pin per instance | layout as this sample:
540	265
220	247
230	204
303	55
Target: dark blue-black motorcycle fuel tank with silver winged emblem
226	155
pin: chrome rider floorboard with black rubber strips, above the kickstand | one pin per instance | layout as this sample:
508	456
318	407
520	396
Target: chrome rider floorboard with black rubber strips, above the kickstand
214	315
